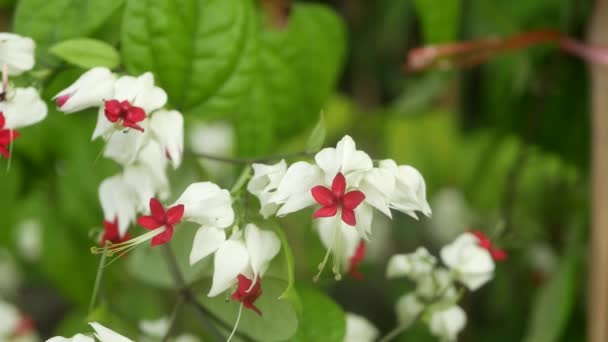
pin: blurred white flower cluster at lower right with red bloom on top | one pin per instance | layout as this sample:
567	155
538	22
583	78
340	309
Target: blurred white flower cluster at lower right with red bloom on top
469	261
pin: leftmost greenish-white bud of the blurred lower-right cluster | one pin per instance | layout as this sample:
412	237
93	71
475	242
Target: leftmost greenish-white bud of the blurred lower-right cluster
413	265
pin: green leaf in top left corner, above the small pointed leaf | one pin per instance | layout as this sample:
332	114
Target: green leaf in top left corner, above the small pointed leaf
48	22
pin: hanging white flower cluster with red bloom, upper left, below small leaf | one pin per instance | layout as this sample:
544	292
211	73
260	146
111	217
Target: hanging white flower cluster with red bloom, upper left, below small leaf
139	134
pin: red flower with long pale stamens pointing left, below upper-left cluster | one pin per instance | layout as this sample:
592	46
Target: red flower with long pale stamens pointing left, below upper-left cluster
160	218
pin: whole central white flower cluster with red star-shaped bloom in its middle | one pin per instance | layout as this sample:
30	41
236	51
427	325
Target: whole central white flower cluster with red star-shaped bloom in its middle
346	187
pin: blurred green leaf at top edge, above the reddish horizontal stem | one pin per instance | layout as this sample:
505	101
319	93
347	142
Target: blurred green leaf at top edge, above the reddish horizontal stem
439	18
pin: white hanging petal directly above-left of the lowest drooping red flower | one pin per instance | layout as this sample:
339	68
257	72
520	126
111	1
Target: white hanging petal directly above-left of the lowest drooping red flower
231	259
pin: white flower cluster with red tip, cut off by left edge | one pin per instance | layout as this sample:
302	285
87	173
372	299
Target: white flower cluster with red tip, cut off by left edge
19	107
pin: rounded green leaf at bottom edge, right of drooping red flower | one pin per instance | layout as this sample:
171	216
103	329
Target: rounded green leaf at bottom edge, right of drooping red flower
322	320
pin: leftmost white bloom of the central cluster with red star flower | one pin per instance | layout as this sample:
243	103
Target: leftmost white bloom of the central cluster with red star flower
263	184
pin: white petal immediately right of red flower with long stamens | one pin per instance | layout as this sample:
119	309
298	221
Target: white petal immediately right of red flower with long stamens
207	204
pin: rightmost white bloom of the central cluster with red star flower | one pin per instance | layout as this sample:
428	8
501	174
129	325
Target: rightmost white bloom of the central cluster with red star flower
409	194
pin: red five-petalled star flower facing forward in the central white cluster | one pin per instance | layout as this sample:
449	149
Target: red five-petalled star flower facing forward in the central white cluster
336	198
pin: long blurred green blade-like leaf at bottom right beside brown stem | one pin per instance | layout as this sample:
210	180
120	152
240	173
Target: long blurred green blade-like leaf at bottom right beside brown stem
555	301
